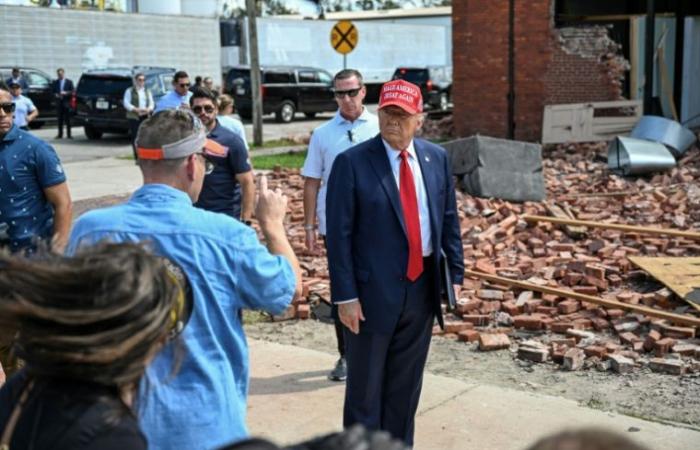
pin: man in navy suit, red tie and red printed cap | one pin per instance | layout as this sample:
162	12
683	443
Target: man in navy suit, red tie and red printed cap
391	209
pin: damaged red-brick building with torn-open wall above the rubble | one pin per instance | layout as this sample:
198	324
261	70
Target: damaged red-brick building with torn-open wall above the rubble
511	58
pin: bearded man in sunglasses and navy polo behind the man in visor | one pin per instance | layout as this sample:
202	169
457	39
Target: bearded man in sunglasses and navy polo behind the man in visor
230	188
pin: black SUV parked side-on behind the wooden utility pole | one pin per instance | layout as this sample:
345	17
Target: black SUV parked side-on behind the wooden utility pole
286	90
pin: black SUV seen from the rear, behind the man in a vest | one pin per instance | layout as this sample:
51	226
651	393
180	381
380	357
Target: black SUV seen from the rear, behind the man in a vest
98	98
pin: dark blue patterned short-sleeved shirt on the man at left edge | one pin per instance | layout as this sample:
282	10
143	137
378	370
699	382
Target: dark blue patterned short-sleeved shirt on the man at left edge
28	165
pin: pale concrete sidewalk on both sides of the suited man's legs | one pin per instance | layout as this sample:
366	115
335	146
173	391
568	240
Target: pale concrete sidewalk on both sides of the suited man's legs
291	400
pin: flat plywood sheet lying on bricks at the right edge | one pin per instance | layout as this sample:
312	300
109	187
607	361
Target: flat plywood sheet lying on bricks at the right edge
681	275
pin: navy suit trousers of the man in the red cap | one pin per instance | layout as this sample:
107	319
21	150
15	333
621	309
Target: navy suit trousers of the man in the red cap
385	372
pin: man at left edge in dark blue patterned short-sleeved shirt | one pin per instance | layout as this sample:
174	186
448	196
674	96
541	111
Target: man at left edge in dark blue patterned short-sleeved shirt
35	202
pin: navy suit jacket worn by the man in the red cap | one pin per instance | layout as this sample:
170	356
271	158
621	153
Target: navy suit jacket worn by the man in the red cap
366	238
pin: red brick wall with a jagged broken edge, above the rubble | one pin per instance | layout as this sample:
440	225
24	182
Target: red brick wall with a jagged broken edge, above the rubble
551	66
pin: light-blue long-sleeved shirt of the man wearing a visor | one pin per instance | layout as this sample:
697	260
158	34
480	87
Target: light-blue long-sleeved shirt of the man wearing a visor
204	405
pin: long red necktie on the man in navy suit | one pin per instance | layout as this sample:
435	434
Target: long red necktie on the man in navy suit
409	204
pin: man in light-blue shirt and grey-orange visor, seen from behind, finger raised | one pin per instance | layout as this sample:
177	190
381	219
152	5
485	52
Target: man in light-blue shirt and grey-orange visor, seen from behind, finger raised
202	405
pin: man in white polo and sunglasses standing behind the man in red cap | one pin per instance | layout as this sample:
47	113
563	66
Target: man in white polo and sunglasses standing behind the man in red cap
351	125
